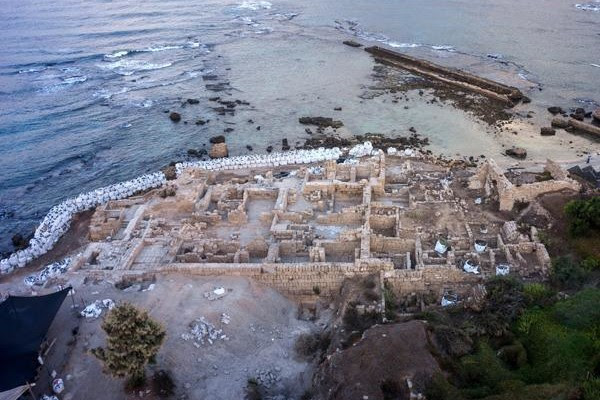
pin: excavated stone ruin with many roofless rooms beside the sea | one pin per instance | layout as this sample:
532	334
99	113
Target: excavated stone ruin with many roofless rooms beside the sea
422	225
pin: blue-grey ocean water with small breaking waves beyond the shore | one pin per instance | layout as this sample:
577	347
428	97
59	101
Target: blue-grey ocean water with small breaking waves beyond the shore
84	87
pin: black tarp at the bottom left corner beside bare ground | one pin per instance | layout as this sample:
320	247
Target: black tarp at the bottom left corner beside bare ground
24	323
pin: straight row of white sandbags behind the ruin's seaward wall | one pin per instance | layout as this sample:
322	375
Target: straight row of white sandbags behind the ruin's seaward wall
263	160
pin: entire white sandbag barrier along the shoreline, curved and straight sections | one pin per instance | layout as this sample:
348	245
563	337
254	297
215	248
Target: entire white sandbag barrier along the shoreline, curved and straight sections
58	219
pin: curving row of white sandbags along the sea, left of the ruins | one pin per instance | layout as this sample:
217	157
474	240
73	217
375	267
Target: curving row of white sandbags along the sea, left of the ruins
58	219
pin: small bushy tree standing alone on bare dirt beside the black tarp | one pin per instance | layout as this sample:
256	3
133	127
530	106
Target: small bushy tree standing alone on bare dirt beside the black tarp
133	340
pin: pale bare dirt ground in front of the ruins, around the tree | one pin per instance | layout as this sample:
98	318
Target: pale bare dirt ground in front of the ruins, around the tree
261	334
